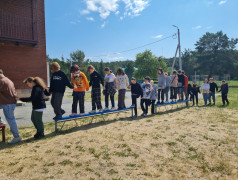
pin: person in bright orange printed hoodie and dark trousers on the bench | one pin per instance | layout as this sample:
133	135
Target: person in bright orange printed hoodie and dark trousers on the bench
80	83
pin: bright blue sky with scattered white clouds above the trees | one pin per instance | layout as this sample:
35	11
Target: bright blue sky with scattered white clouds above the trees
103	29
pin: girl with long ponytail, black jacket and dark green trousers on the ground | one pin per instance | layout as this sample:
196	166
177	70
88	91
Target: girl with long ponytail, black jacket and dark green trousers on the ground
38	103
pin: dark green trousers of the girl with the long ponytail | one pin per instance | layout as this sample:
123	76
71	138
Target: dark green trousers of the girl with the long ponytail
36	118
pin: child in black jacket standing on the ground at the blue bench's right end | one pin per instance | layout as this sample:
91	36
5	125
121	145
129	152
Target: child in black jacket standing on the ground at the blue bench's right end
136	92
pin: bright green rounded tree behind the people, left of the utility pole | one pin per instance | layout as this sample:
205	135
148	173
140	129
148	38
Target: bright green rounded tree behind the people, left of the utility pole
147	65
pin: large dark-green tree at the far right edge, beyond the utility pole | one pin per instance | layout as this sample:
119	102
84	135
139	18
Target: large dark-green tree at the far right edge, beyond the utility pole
214	53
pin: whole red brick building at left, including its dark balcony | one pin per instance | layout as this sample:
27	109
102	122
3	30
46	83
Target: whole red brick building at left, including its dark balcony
22	40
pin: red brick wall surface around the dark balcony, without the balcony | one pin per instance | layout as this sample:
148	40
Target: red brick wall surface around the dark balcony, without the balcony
24	60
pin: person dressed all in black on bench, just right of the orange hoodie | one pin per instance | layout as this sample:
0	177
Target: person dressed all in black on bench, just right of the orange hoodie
95	81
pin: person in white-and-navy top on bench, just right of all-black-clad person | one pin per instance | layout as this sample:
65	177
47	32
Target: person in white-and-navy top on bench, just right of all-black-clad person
109	89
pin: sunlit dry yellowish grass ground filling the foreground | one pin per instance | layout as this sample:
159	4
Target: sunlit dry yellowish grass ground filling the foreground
184	143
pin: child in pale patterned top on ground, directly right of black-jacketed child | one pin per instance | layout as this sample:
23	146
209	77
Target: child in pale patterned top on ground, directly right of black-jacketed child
147	89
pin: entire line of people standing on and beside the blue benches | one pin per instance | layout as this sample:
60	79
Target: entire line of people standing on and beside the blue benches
177	84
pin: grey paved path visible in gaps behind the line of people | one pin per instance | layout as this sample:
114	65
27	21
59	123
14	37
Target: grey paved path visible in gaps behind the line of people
23	113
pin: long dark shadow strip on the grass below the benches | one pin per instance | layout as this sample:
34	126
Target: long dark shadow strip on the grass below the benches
84	127
